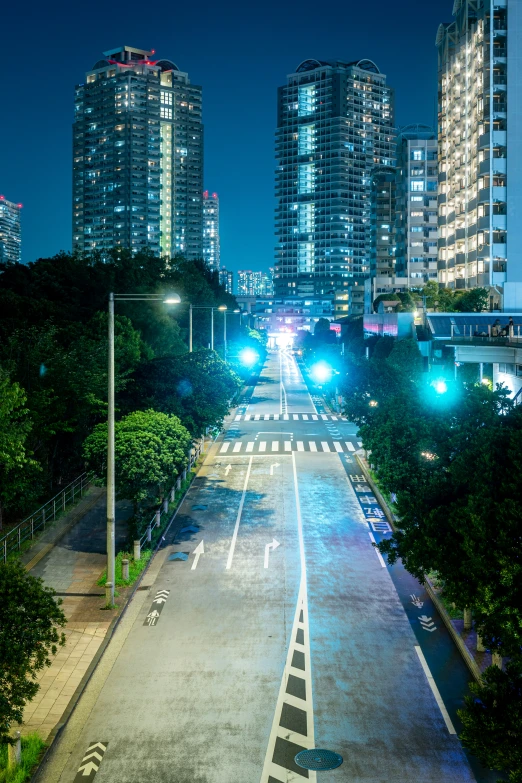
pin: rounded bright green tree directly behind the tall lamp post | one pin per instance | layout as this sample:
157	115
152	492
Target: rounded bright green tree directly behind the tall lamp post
150	449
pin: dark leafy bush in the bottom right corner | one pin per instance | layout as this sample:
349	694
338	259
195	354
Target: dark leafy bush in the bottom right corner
492	719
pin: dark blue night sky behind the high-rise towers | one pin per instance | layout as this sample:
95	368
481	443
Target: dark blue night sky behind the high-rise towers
240	52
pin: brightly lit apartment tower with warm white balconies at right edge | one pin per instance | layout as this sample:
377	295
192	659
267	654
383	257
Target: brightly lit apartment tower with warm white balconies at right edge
480	156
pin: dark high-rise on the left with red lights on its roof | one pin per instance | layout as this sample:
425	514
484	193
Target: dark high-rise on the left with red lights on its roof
138	157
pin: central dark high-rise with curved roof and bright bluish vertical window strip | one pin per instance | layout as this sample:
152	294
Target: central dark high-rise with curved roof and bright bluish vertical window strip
335	124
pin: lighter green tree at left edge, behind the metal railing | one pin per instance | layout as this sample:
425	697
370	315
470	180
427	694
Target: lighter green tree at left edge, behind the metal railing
17	468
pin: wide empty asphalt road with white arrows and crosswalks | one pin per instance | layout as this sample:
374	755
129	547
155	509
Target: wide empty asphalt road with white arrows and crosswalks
279	627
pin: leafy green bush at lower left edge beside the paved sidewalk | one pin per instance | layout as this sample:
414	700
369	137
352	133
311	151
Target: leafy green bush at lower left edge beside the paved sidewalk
29	616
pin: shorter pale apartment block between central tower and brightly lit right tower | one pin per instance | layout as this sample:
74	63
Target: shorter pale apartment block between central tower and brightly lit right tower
416	205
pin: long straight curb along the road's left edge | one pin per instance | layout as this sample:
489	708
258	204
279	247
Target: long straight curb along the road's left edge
60	725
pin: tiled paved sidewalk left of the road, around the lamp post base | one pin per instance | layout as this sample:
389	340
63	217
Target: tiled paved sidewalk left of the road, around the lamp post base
71	559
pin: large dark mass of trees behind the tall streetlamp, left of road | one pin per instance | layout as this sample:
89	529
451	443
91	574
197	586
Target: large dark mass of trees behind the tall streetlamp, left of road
53	358
